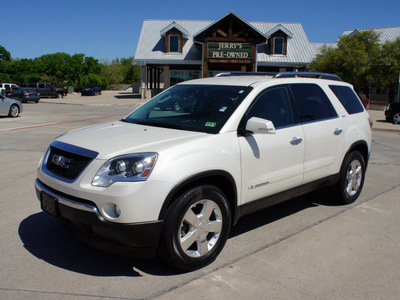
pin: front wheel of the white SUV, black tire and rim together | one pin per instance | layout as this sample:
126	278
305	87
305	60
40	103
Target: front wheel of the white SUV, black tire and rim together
187	246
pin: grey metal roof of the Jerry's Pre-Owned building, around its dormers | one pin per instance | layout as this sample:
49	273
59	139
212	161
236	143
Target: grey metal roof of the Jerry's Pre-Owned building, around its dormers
151	45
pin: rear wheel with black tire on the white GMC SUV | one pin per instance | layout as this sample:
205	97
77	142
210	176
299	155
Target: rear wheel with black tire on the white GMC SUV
352	177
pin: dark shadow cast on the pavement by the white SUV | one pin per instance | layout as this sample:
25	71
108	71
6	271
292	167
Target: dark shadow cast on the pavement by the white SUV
46	239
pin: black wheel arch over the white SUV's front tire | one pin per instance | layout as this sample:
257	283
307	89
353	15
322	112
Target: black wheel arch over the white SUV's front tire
219	178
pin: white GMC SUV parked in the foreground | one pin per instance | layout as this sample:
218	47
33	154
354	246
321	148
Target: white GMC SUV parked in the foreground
176	174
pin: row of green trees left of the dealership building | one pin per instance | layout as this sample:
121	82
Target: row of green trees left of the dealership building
62	69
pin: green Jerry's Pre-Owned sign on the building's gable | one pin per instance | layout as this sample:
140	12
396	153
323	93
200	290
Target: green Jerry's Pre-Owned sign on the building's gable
230	50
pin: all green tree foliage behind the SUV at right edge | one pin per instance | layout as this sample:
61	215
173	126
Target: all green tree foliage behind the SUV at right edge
361	59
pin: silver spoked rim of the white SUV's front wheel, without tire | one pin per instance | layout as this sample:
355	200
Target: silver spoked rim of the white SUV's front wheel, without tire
200	228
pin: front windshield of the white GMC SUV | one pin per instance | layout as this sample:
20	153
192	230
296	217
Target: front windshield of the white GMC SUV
203	108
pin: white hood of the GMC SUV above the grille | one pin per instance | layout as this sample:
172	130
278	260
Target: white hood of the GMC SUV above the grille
118	138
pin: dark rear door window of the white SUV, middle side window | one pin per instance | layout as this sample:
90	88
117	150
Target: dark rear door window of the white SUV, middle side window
312	103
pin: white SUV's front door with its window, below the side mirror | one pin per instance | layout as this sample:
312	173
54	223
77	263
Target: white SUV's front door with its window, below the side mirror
272	162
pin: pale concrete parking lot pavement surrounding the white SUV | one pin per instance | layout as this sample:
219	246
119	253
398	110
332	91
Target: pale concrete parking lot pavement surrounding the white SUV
307	248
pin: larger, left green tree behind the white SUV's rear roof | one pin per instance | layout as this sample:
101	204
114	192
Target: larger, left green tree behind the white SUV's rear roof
354	59
